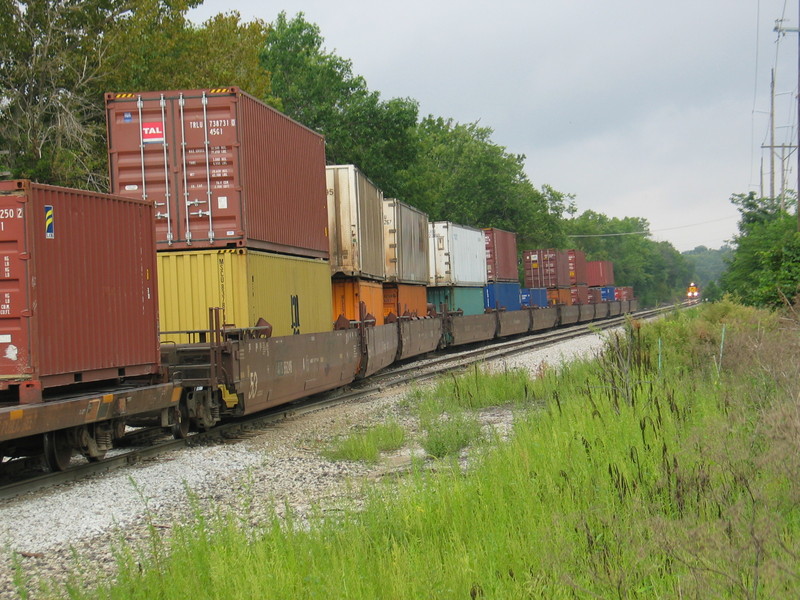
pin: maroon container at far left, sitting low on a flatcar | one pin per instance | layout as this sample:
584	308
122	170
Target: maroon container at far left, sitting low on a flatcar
78	300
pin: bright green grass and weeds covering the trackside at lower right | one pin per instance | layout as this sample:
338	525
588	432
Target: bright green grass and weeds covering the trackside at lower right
669	467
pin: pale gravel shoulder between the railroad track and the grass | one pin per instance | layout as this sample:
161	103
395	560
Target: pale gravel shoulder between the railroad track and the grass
57	530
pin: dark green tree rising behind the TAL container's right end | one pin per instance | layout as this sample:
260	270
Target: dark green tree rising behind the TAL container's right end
319	89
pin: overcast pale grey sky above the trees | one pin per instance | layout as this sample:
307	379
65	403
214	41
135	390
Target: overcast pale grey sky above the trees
637	107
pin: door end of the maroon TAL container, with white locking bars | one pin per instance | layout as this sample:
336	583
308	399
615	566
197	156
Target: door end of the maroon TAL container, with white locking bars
179	152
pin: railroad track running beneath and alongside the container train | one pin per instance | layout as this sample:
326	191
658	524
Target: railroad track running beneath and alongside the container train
417	370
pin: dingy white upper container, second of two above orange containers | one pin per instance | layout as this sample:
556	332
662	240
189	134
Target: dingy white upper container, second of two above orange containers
405	234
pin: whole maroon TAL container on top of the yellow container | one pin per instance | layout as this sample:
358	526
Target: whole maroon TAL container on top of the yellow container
223	169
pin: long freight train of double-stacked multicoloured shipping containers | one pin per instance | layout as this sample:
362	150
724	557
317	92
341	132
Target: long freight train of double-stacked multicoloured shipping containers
220	279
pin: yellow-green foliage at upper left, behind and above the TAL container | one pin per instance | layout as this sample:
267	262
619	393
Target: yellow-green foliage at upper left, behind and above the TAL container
58	57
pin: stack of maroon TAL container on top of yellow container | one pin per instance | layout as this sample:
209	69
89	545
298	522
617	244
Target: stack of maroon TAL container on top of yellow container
228	176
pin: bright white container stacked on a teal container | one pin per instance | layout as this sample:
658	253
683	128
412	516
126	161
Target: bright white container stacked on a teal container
457	267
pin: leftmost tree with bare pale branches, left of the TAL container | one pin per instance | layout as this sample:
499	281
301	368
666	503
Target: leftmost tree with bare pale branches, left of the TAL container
52	58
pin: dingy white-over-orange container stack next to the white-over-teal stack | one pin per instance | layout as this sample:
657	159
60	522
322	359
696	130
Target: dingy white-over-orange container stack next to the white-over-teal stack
405	236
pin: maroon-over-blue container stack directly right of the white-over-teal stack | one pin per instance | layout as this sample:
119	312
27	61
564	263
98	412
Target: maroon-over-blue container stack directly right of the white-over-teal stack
502	291
